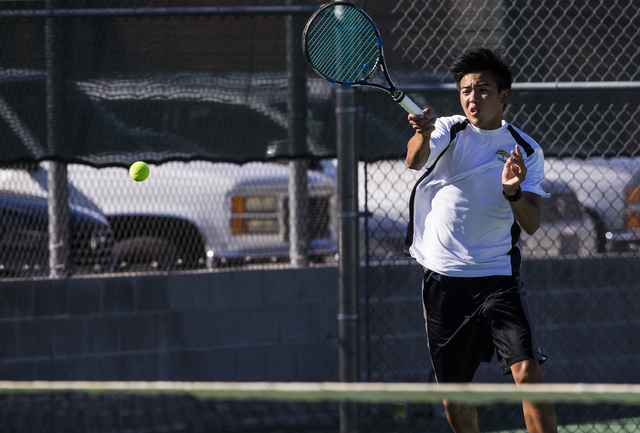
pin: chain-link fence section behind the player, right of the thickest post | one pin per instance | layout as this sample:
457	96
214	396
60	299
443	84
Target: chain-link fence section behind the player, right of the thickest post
576	93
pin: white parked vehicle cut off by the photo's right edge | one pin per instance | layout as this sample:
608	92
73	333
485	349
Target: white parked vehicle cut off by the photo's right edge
609	191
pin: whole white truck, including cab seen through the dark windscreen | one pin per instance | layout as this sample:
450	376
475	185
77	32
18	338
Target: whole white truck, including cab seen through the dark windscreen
186	215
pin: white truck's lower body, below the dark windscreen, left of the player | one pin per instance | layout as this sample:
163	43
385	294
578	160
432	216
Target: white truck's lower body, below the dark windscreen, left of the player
195	215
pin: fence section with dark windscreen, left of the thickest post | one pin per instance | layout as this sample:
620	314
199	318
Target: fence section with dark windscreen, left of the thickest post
205	89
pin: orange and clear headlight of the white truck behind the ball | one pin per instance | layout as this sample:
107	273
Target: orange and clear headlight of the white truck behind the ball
254	215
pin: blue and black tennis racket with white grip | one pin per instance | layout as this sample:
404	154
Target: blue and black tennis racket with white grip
343	45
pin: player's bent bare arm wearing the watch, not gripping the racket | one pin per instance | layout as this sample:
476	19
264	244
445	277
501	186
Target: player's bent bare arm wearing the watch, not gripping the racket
526	210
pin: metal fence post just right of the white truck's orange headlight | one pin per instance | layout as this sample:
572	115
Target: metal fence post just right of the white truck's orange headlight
297	110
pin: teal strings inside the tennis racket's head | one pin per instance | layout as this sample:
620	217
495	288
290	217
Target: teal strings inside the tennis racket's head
343	46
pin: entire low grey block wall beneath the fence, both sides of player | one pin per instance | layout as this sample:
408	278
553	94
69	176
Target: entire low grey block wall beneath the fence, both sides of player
281	325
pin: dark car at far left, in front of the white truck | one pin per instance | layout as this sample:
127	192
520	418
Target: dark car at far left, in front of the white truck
24	238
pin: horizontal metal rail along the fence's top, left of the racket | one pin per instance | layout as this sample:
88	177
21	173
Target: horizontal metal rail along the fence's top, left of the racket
158	11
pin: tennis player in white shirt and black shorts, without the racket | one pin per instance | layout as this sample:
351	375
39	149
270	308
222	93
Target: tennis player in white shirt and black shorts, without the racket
467	214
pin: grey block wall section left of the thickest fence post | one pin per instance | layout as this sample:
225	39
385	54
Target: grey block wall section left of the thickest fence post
249	325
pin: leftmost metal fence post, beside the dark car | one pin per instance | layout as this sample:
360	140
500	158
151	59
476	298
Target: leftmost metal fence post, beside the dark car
57	175
